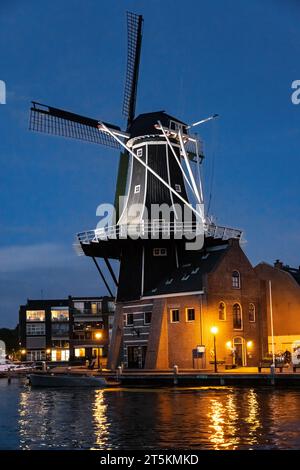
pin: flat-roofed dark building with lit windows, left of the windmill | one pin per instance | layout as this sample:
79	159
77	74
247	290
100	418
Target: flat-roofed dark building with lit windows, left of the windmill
59	330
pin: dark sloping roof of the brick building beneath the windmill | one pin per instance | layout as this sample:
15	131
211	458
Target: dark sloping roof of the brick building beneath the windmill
189	277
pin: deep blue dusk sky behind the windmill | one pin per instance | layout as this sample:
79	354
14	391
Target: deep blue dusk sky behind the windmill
232	57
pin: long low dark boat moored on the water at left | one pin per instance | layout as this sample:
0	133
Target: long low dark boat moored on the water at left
66	380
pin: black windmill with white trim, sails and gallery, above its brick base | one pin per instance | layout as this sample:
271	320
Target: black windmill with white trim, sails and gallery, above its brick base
150	172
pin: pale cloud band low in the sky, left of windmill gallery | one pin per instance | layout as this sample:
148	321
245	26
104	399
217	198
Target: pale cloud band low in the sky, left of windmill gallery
18	258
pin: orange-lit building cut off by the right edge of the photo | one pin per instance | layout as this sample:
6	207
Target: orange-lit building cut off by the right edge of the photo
285	297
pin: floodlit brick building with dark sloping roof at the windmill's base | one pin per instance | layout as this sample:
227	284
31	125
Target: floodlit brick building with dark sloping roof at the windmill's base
218	288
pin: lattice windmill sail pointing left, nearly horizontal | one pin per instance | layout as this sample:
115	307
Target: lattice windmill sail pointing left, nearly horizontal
63	123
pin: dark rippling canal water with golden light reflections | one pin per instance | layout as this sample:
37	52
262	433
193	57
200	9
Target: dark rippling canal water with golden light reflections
179	418
